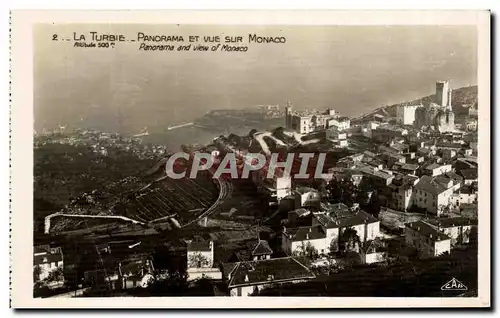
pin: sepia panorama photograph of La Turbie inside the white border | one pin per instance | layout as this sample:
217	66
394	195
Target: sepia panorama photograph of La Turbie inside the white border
257	160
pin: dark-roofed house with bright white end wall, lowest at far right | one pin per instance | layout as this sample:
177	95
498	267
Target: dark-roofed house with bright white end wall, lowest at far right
428	241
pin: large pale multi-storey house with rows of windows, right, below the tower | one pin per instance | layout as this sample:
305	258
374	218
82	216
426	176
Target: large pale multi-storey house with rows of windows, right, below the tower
433	194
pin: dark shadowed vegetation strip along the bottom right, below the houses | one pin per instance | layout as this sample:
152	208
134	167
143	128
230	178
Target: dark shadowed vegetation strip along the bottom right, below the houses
405	278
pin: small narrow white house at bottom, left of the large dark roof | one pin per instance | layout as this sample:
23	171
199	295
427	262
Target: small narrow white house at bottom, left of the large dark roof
200	260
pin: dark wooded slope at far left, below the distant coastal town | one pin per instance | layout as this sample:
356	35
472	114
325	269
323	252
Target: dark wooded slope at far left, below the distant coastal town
68	175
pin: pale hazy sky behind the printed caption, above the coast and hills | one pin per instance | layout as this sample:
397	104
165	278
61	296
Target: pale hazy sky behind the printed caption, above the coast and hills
352	69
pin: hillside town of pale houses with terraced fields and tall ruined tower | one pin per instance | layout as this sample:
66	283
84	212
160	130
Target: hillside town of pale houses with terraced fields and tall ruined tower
399	193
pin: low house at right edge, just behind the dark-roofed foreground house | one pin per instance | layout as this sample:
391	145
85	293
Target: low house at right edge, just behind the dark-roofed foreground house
461	230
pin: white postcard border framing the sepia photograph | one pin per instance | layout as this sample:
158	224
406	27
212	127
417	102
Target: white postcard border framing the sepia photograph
22	152
